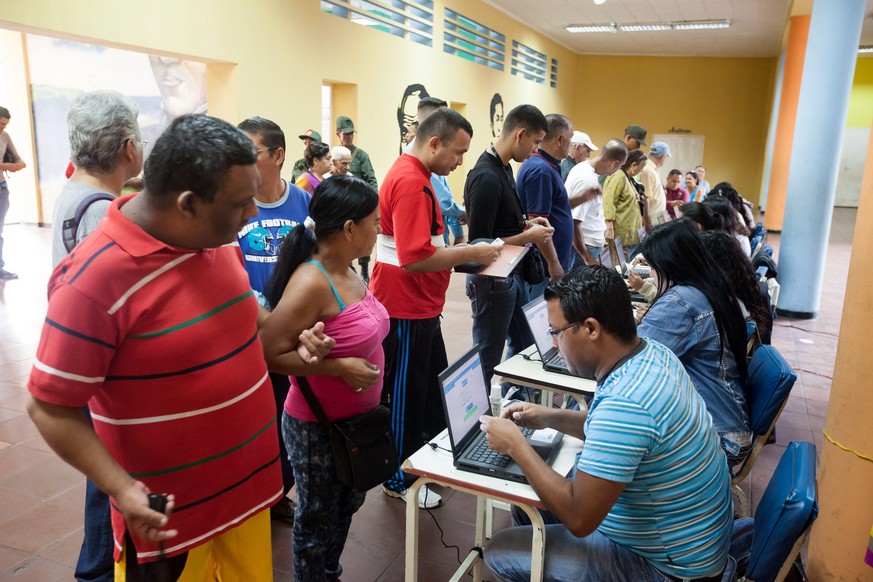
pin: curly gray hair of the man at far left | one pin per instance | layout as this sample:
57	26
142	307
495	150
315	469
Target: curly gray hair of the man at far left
99	123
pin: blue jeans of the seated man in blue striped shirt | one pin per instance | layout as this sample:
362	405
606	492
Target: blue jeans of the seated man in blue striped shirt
594	557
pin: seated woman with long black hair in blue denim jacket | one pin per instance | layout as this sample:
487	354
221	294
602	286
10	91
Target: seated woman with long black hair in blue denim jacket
699	319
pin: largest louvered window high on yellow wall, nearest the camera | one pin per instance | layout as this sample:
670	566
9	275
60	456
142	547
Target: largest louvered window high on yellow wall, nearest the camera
409	19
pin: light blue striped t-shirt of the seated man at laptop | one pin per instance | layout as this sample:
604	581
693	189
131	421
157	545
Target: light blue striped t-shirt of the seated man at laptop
649	428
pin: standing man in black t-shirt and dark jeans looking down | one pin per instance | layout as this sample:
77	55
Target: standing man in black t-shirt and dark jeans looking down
494	210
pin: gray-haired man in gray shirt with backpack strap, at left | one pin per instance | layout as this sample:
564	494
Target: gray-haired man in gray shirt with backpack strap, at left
107	150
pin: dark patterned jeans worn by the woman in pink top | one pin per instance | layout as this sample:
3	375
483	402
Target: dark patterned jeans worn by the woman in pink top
324	506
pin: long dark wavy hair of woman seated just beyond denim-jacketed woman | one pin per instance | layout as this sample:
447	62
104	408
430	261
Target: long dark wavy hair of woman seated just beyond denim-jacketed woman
753	299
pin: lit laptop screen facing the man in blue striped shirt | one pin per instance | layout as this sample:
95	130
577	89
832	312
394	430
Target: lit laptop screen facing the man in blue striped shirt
465	395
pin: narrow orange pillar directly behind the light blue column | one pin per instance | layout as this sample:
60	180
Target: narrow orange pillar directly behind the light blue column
795	53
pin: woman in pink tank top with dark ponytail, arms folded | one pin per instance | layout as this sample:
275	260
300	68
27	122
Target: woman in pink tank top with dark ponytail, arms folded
312	282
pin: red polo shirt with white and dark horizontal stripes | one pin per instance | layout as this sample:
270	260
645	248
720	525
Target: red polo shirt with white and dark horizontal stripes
161	343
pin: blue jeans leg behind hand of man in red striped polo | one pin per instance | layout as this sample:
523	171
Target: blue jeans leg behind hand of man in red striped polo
96	561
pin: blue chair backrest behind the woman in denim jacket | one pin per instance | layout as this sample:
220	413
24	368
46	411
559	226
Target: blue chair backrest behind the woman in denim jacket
769	382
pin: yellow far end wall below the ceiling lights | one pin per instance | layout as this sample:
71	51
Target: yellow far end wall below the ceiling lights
729	104
